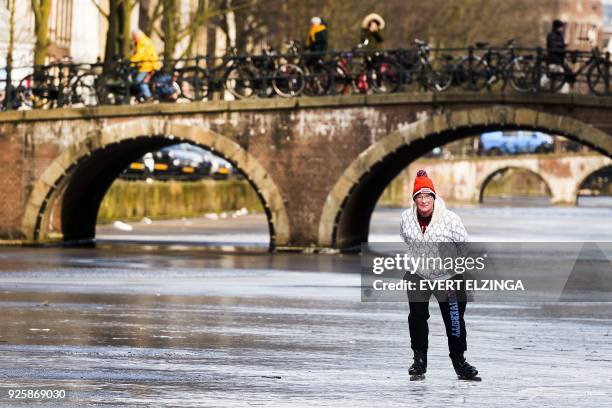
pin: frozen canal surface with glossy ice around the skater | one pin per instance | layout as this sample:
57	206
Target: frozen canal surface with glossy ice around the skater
125	325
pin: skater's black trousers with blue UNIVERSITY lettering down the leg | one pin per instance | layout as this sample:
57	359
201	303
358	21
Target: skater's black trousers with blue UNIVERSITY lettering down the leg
452	306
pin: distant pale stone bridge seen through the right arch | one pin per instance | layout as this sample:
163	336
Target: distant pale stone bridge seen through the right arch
464	180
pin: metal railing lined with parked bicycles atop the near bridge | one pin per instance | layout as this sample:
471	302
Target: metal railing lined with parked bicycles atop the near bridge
477	68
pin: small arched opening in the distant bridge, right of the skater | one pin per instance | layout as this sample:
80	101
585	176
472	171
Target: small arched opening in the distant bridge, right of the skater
515	186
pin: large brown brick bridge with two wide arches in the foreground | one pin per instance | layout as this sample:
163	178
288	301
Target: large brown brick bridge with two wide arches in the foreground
319	165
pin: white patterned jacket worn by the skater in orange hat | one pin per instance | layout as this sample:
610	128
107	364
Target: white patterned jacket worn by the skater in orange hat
445	226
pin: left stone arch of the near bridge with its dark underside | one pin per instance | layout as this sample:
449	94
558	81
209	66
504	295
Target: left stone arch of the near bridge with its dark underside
82	174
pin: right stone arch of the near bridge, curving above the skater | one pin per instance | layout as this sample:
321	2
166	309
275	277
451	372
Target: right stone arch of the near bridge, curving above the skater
345	216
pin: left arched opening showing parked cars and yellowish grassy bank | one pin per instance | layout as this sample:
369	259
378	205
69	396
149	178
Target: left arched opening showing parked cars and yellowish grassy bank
183	194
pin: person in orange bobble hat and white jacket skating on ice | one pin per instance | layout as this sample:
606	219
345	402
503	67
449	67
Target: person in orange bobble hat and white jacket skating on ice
429	221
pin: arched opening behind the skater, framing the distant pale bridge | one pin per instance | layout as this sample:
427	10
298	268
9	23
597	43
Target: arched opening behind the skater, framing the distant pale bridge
510	200
